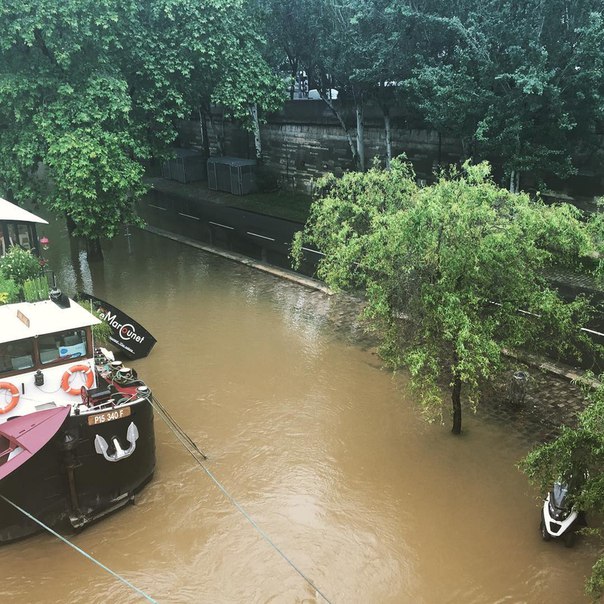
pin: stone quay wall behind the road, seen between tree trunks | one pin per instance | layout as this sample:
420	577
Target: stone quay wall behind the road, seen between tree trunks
304	141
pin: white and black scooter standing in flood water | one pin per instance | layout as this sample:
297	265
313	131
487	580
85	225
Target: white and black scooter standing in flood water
559	518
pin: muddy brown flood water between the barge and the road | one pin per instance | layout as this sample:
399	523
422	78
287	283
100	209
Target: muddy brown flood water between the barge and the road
321	447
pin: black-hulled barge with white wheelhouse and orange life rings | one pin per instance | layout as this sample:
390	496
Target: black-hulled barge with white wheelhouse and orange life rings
76	427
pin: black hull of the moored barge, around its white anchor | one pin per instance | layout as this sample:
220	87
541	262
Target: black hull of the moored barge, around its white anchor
69	483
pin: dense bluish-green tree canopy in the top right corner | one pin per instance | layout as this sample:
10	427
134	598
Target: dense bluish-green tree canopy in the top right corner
520	83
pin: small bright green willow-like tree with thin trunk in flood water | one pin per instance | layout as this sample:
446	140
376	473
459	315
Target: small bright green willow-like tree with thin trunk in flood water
446	270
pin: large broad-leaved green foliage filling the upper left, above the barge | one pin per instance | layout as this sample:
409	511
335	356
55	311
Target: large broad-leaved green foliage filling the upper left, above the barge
90	90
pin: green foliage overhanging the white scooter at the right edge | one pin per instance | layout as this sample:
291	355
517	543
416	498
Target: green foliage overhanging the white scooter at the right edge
577	452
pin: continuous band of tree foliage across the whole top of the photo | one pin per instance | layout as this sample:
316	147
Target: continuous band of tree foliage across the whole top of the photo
91	90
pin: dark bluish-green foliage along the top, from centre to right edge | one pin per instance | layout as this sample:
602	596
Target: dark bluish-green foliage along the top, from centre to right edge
519	83
